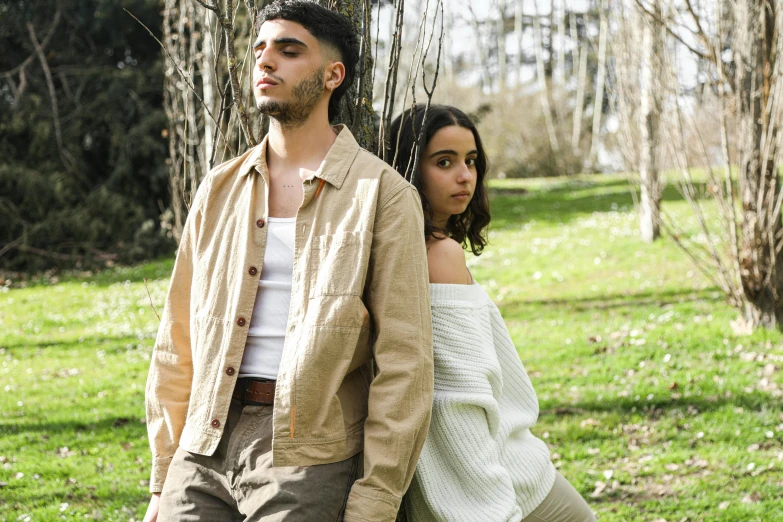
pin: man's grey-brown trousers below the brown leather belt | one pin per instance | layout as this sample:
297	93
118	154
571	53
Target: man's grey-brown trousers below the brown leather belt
238	482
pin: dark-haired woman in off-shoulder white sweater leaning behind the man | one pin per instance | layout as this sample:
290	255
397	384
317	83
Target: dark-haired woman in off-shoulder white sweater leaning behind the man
480	463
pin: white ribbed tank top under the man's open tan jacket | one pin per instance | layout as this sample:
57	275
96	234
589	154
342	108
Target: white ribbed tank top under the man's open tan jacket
266	334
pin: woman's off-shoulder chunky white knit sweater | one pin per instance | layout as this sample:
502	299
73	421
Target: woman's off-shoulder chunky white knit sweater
480	463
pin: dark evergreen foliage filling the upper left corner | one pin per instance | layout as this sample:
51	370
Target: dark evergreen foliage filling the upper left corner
95	193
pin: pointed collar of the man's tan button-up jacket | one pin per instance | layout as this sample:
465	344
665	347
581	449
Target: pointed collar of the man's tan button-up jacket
333	169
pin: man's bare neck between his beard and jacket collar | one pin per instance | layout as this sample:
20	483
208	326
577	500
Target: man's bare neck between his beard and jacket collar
300	148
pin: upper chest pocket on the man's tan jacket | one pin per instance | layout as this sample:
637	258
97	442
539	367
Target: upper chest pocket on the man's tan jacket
339	263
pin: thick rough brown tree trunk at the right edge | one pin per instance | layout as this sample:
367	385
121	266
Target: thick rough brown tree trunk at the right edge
759	183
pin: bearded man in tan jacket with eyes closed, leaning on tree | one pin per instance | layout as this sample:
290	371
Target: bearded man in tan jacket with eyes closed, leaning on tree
291	378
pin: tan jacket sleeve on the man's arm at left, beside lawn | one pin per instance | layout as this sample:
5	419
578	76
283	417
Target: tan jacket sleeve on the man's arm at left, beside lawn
171	367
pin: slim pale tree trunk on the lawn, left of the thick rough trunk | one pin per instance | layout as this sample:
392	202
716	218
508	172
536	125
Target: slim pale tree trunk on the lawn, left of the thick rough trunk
650	113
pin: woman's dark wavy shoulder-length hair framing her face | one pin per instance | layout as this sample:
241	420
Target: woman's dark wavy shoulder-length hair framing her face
468	228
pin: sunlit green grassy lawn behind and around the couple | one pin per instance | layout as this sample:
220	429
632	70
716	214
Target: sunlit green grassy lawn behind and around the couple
653	408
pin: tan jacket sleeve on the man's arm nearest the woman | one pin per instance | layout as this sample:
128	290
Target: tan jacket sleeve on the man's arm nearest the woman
400	396
